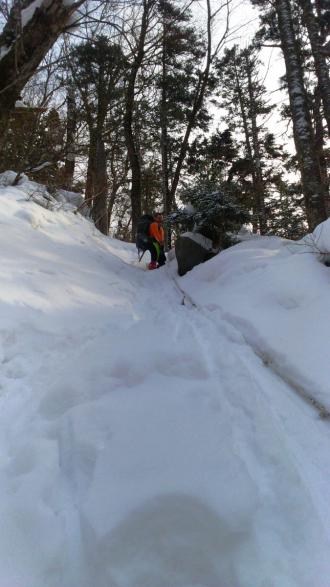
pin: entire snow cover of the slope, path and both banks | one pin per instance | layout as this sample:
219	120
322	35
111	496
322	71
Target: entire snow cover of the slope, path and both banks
144	442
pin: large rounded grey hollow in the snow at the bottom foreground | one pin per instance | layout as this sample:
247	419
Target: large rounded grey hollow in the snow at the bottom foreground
172	540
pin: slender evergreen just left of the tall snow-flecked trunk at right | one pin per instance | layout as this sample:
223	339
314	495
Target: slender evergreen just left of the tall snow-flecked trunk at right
244	97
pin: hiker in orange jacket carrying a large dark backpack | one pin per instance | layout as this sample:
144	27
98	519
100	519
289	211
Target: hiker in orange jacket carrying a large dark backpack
150	237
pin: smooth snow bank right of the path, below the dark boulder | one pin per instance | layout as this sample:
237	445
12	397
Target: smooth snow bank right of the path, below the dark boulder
277	293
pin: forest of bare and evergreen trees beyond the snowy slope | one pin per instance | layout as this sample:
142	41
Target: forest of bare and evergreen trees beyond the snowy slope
144	104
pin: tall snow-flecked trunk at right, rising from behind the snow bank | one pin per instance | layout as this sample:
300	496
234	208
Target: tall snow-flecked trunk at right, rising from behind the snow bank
304	139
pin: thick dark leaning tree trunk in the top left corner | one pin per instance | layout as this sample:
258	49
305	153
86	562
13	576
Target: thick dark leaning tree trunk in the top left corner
24	49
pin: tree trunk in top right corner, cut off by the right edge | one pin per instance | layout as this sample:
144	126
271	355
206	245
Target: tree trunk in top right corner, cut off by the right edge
321	66
